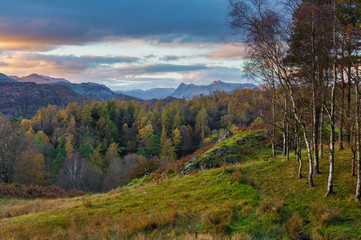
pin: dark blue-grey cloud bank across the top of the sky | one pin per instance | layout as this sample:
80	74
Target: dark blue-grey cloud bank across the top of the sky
47	24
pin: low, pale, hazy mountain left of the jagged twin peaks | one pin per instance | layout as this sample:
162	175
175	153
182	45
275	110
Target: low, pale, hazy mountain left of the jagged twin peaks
154	93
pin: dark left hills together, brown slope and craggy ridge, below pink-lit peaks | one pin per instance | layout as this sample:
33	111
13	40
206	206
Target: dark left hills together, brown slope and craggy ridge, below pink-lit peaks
23	99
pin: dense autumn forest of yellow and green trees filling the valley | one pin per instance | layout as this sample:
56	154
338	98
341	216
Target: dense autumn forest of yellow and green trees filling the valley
98	146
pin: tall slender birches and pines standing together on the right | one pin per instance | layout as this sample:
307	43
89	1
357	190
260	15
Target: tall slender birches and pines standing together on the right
308	57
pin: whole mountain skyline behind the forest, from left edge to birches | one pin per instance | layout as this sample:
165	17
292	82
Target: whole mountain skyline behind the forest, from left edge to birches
23	96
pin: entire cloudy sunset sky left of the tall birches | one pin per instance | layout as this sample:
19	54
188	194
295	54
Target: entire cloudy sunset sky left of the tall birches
124	44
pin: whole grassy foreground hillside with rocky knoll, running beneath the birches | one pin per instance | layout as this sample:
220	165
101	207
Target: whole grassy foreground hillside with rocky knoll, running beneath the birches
258	198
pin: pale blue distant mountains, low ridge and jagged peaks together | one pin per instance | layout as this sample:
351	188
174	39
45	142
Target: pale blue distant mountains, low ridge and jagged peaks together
187	91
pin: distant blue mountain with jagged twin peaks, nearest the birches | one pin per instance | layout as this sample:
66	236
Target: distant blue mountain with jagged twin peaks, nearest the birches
190	90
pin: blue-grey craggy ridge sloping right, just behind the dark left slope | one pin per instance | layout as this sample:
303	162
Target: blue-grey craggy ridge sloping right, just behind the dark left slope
96	91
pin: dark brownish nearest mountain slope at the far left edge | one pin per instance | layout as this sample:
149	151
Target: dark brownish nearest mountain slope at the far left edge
25	98
